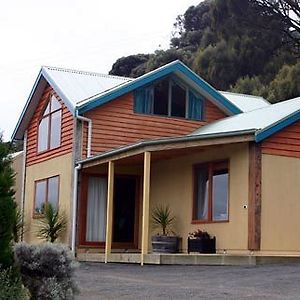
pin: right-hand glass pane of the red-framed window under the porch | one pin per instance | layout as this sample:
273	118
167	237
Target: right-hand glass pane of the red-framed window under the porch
220	195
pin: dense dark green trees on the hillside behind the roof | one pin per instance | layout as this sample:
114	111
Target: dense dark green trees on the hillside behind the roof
235	45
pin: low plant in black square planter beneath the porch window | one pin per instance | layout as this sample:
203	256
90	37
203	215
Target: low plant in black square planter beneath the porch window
201	241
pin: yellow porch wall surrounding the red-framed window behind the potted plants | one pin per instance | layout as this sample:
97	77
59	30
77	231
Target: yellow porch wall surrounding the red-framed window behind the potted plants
172	183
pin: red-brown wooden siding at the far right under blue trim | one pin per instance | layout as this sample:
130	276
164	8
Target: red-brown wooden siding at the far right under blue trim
284	143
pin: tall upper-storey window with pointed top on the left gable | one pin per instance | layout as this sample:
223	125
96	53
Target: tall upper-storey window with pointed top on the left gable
49	134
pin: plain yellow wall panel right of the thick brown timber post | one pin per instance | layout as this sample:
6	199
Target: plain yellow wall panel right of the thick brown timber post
280	204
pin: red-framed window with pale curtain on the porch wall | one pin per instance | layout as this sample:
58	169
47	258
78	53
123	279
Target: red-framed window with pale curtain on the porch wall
211	192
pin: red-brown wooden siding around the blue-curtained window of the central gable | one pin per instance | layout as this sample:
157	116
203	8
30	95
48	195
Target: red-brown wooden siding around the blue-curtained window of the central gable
115	125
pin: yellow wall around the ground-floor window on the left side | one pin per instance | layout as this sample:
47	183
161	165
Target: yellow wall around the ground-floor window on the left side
61	166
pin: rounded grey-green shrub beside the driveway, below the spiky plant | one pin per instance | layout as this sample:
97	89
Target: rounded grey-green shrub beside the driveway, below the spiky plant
47	270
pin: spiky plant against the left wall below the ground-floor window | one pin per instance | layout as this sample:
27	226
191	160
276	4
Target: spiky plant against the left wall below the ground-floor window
52	225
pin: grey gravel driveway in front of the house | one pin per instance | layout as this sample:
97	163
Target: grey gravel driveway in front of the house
122	281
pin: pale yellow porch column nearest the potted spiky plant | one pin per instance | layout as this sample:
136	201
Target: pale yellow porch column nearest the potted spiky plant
146	194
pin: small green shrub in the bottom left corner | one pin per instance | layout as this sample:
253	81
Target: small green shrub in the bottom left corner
11	287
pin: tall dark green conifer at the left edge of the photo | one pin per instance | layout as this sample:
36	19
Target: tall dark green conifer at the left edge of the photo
7	206
